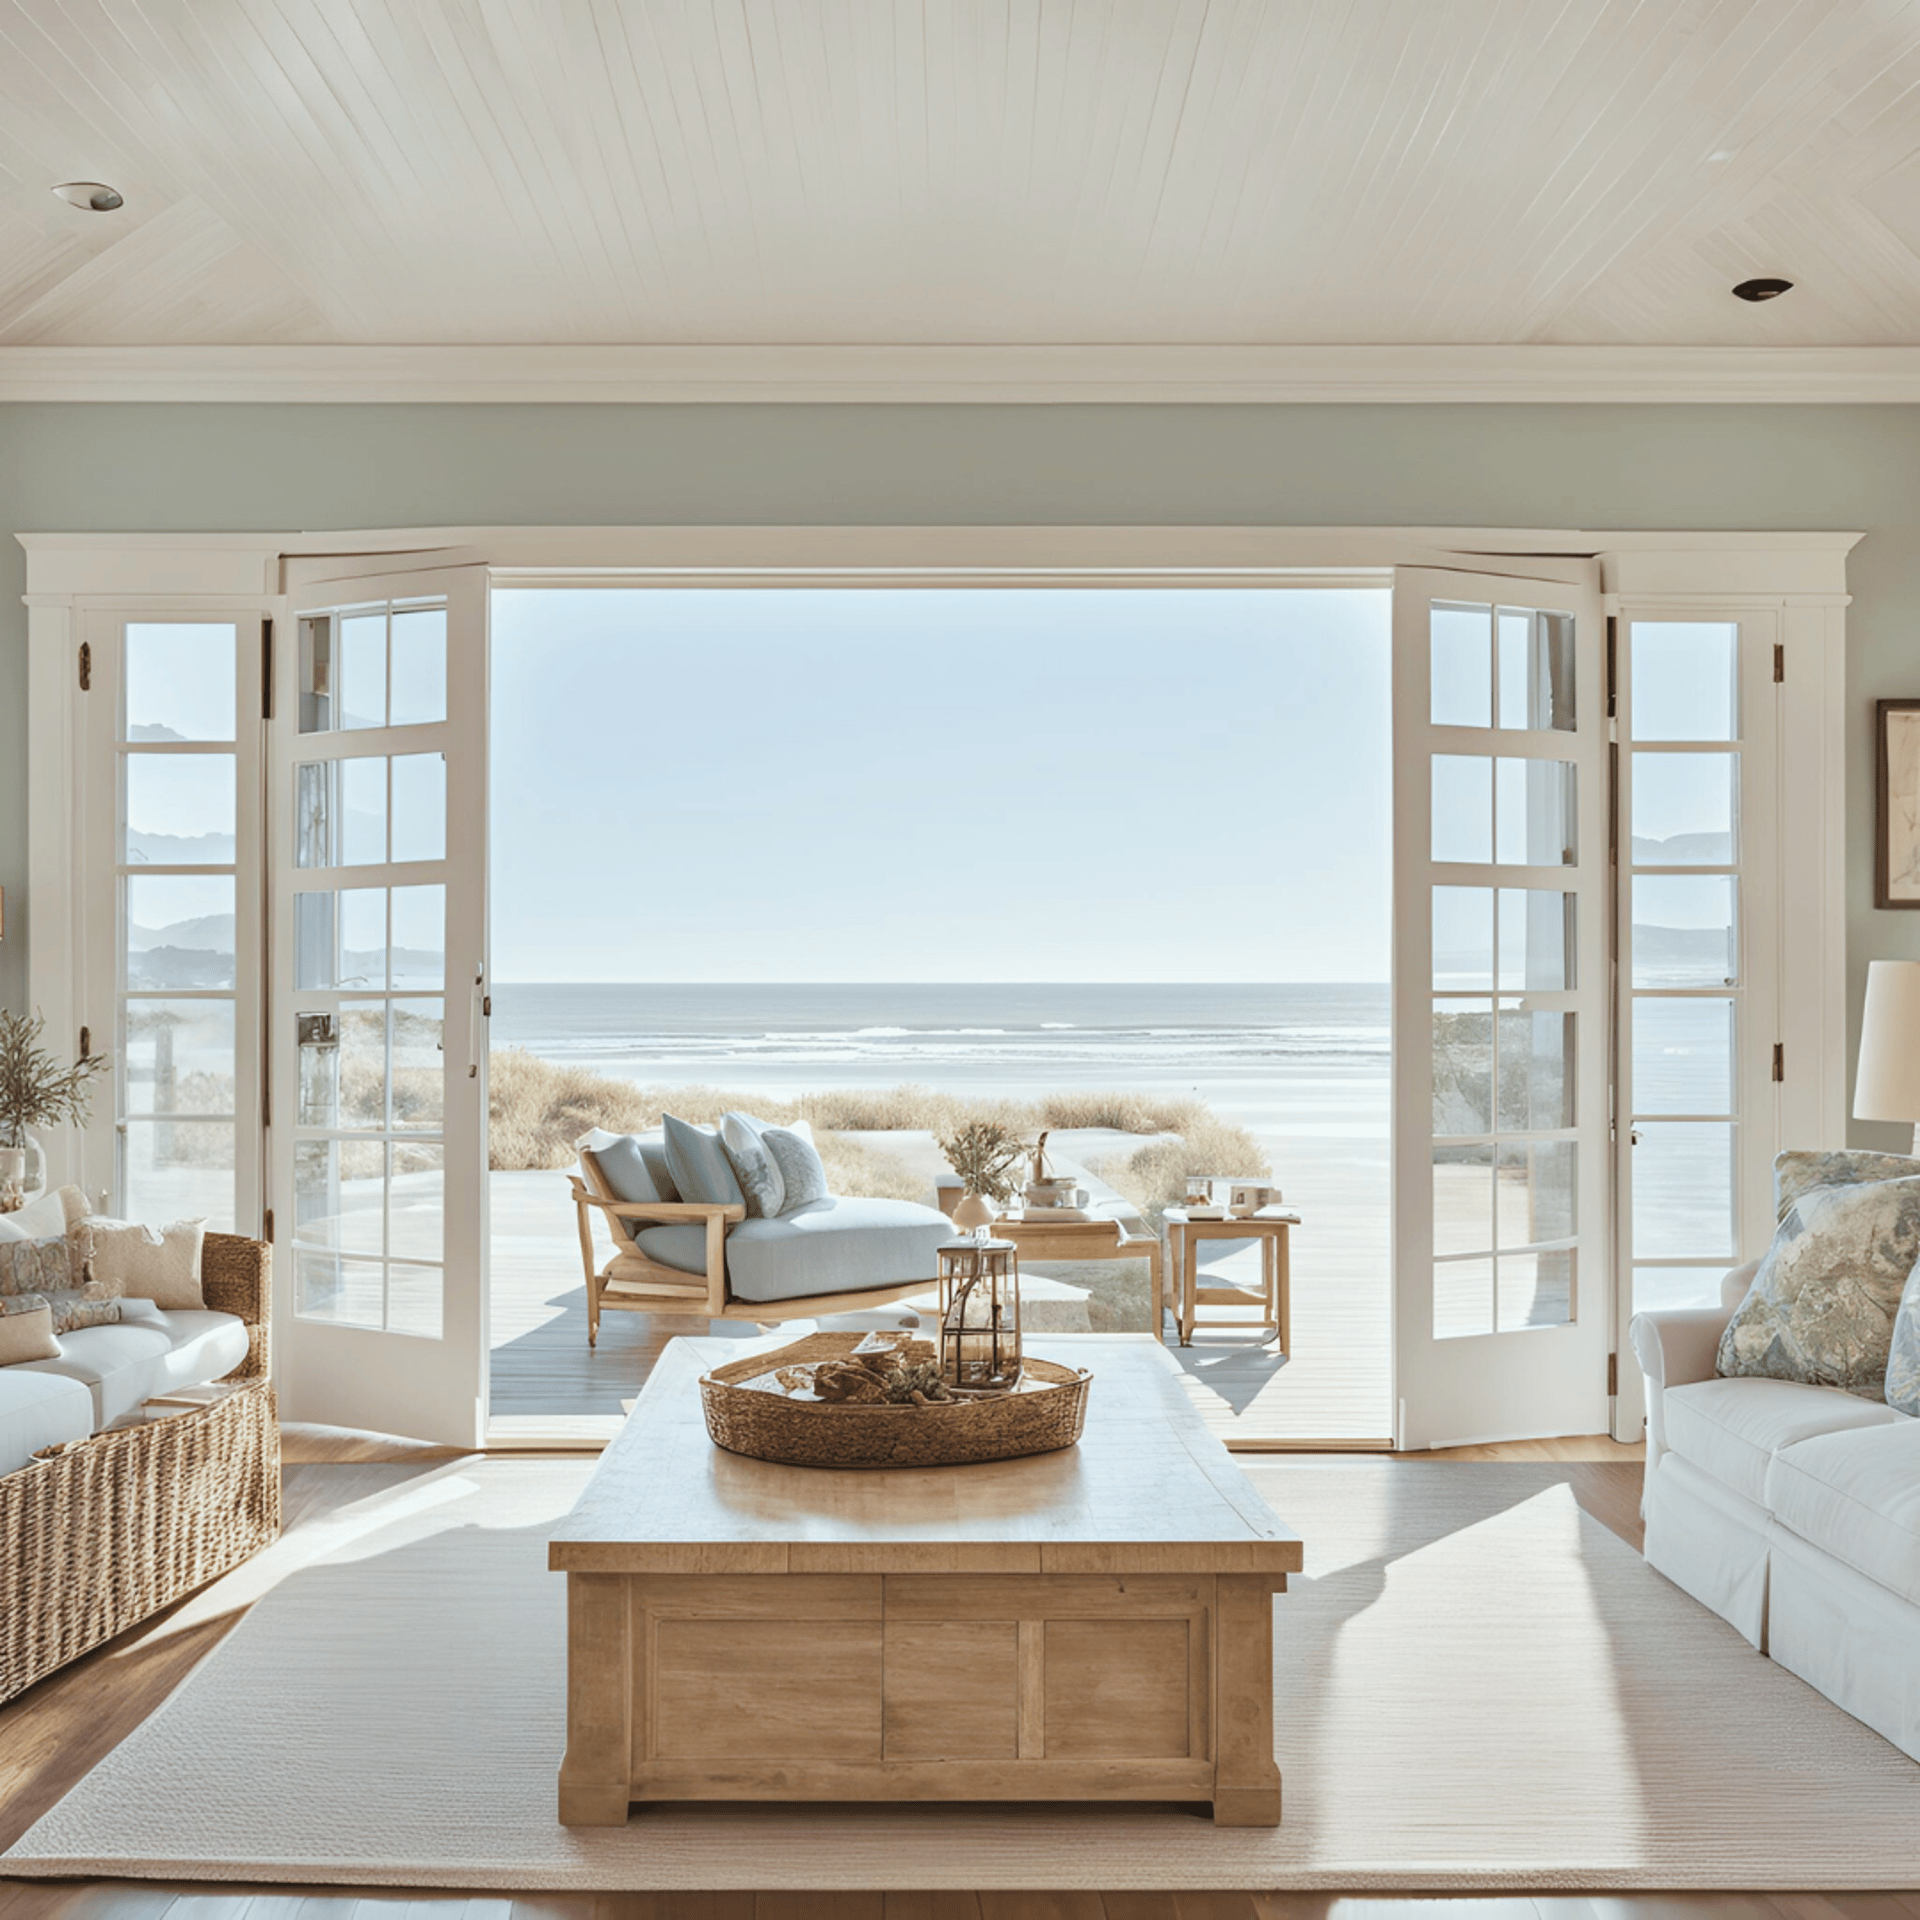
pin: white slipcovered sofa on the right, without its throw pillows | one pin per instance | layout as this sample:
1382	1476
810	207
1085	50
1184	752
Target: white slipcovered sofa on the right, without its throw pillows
1794	1512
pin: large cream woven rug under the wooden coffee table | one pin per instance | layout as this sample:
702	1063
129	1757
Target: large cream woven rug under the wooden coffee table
1477	1689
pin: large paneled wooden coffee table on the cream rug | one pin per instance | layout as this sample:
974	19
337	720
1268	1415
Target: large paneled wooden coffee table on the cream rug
1080	1625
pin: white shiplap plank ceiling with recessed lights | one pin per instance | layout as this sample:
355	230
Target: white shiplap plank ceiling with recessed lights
961	172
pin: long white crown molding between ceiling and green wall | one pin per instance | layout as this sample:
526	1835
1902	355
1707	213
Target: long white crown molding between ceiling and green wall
946	375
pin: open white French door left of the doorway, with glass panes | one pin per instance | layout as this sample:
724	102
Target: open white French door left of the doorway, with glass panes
377	1051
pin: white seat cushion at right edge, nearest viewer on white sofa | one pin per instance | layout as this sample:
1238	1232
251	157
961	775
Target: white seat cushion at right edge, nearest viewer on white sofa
1856	1497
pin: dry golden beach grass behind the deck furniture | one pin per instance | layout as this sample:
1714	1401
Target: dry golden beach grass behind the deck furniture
539	1111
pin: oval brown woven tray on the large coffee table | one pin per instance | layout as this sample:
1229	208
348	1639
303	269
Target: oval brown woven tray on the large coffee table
1045	1414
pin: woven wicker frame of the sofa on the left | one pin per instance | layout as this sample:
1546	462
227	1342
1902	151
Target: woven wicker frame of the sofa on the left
110	1529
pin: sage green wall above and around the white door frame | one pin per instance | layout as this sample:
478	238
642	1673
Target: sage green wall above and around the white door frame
139	468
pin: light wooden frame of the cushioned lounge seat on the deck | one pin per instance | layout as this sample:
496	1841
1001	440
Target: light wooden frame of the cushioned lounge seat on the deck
633	1284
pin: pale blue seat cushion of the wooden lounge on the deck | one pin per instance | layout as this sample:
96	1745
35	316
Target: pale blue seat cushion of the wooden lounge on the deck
830	1247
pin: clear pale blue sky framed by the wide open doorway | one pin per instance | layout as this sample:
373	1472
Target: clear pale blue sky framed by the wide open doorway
940	784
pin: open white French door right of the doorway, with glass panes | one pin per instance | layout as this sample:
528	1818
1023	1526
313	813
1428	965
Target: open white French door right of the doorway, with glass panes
1502	999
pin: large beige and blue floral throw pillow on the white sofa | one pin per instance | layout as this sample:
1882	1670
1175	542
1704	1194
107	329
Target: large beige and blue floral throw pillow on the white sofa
1821	1307
